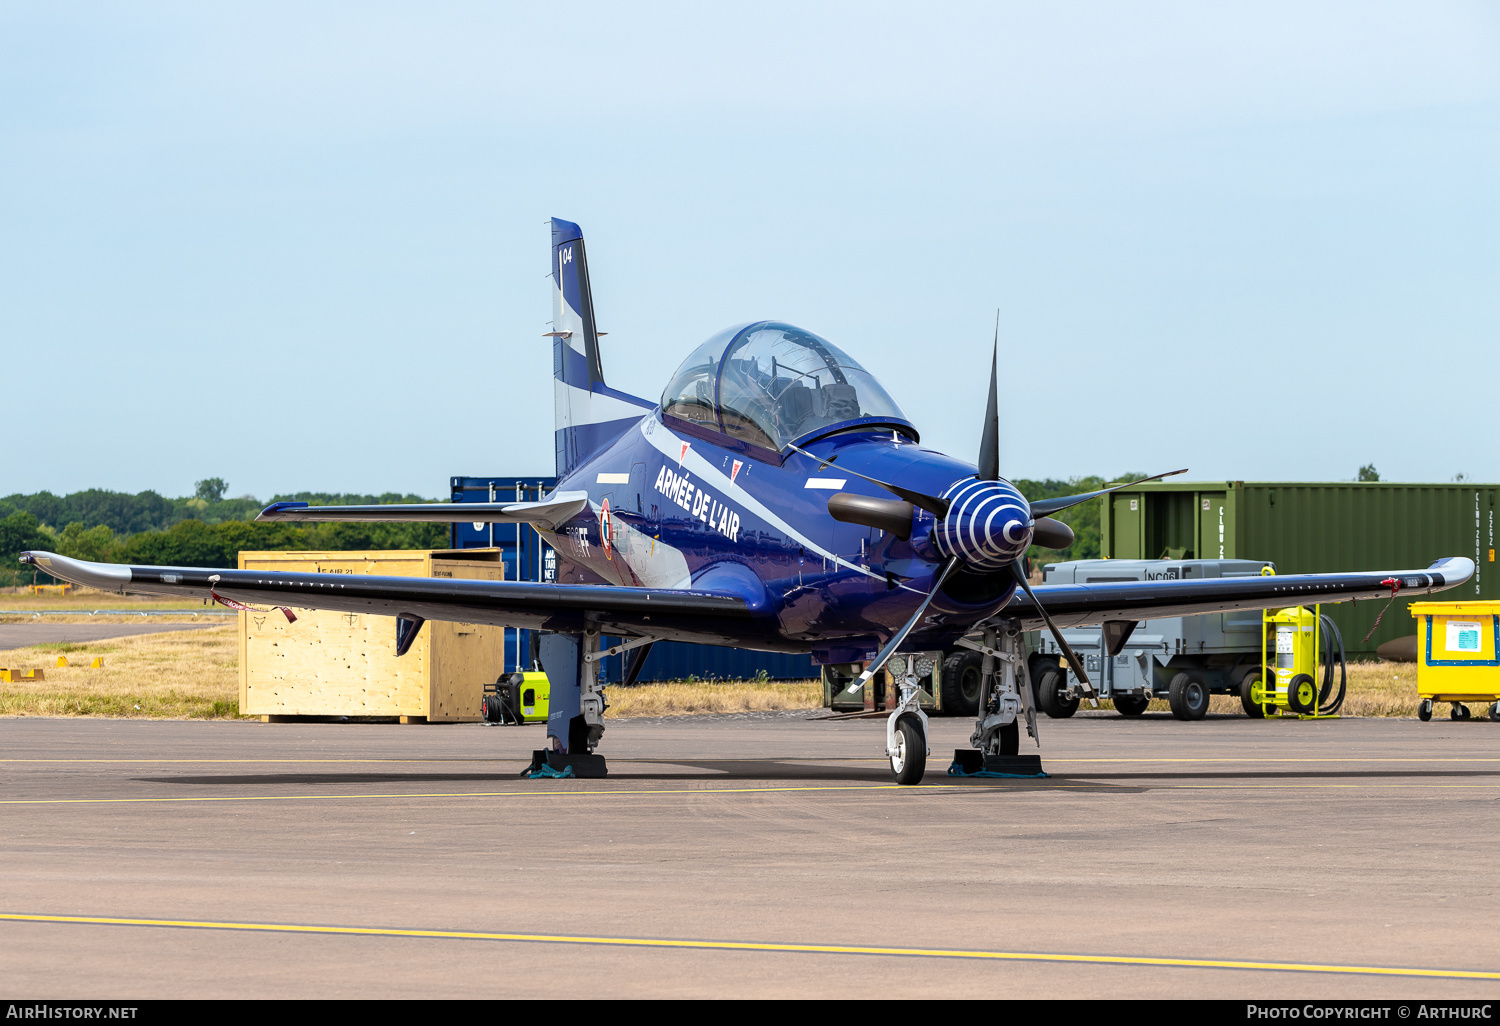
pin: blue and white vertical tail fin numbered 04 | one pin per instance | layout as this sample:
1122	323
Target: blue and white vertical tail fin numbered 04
589	415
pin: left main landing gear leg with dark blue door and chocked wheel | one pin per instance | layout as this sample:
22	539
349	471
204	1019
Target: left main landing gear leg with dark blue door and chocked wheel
575	709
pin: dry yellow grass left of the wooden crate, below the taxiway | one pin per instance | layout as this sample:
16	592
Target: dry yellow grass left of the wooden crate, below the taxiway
181	676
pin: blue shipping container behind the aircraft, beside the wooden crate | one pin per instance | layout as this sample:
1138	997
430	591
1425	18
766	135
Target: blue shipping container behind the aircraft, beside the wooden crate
527	557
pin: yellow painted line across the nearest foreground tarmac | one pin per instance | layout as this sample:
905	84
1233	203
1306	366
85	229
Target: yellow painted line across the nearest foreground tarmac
752	946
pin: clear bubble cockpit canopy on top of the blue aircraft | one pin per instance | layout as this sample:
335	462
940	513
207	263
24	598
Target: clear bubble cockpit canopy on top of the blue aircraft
772	383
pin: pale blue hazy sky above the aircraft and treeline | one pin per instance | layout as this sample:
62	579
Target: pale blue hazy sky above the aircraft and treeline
304	247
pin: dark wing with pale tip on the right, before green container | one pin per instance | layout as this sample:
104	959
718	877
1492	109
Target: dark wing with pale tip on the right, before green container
1094	604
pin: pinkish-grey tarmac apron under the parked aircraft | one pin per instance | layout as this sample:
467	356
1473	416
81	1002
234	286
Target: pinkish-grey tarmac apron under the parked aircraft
1337	851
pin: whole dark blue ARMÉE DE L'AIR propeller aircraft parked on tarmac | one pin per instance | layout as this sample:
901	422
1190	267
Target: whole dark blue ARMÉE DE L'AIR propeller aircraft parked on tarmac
776	499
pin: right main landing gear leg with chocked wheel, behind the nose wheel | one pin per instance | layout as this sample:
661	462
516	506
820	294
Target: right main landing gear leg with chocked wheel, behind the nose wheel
1004	701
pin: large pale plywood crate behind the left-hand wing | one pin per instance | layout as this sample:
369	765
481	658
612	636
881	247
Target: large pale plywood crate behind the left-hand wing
337	664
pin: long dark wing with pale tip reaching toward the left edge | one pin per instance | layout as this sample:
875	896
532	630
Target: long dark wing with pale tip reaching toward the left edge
706	617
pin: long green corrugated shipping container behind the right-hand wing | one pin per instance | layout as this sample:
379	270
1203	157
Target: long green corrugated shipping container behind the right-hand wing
1315	529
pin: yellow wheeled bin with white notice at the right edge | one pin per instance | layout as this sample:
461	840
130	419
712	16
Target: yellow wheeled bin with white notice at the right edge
1457	656
